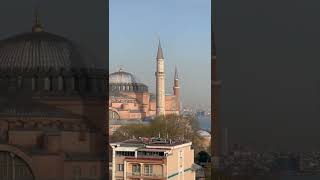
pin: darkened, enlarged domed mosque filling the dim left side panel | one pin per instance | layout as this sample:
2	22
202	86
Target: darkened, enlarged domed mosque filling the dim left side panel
52	109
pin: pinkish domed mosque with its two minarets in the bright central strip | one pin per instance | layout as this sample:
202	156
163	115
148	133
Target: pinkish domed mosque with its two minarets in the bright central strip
129	99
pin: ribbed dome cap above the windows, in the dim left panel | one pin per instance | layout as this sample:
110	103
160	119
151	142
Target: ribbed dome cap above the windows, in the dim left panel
39	50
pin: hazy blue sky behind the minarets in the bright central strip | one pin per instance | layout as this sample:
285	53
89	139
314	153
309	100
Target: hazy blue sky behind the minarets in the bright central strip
185	31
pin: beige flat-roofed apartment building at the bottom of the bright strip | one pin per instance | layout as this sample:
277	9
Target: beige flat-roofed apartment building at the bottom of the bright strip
155	158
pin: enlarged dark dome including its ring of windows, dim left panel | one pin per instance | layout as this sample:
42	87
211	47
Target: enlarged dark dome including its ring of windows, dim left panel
46	64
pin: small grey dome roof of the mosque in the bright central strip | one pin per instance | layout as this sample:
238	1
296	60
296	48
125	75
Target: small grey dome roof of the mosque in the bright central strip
122	77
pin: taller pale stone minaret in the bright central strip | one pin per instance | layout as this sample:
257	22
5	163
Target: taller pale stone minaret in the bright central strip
160	85
